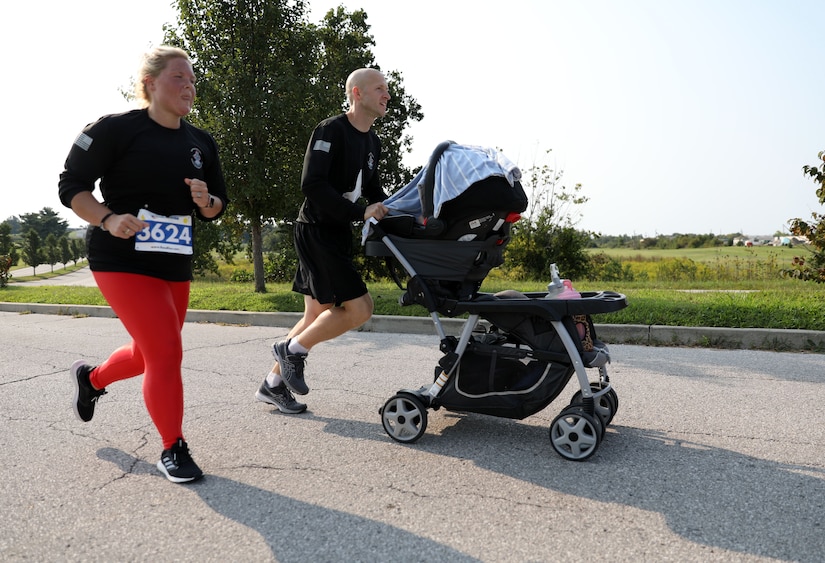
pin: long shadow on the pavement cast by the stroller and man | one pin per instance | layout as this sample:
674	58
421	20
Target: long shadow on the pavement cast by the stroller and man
707	495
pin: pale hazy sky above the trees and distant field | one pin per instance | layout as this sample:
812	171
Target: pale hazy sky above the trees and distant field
675	116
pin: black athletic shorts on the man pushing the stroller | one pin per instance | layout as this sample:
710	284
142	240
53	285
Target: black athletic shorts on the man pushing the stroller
325	267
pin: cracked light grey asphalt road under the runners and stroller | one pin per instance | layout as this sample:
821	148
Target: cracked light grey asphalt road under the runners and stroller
713	456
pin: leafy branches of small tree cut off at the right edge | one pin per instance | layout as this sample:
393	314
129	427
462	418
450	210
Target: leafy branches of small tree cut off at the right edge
812	267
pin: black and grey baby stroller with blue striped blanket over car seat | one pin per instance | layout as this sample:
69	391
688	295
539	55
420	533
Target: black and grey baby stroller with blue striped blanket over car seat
516	351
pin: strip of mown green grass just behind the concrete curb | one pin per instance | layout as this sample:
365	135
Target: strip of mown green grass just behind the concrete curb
776	303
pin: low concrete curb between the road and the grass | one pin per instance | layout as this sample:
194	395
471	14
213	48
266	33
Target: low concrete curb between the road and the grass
645	335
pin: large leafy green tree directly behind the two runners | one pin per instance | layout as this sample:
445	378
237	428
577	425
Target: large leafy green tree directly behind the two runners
266	78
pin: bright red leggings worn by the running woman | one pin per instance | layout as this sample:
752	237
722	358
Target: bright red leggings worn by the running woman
152	311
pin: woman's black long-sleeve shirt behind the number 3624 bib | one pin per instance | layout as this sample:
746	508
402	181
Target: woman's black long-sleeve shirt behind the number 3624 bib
141	165
